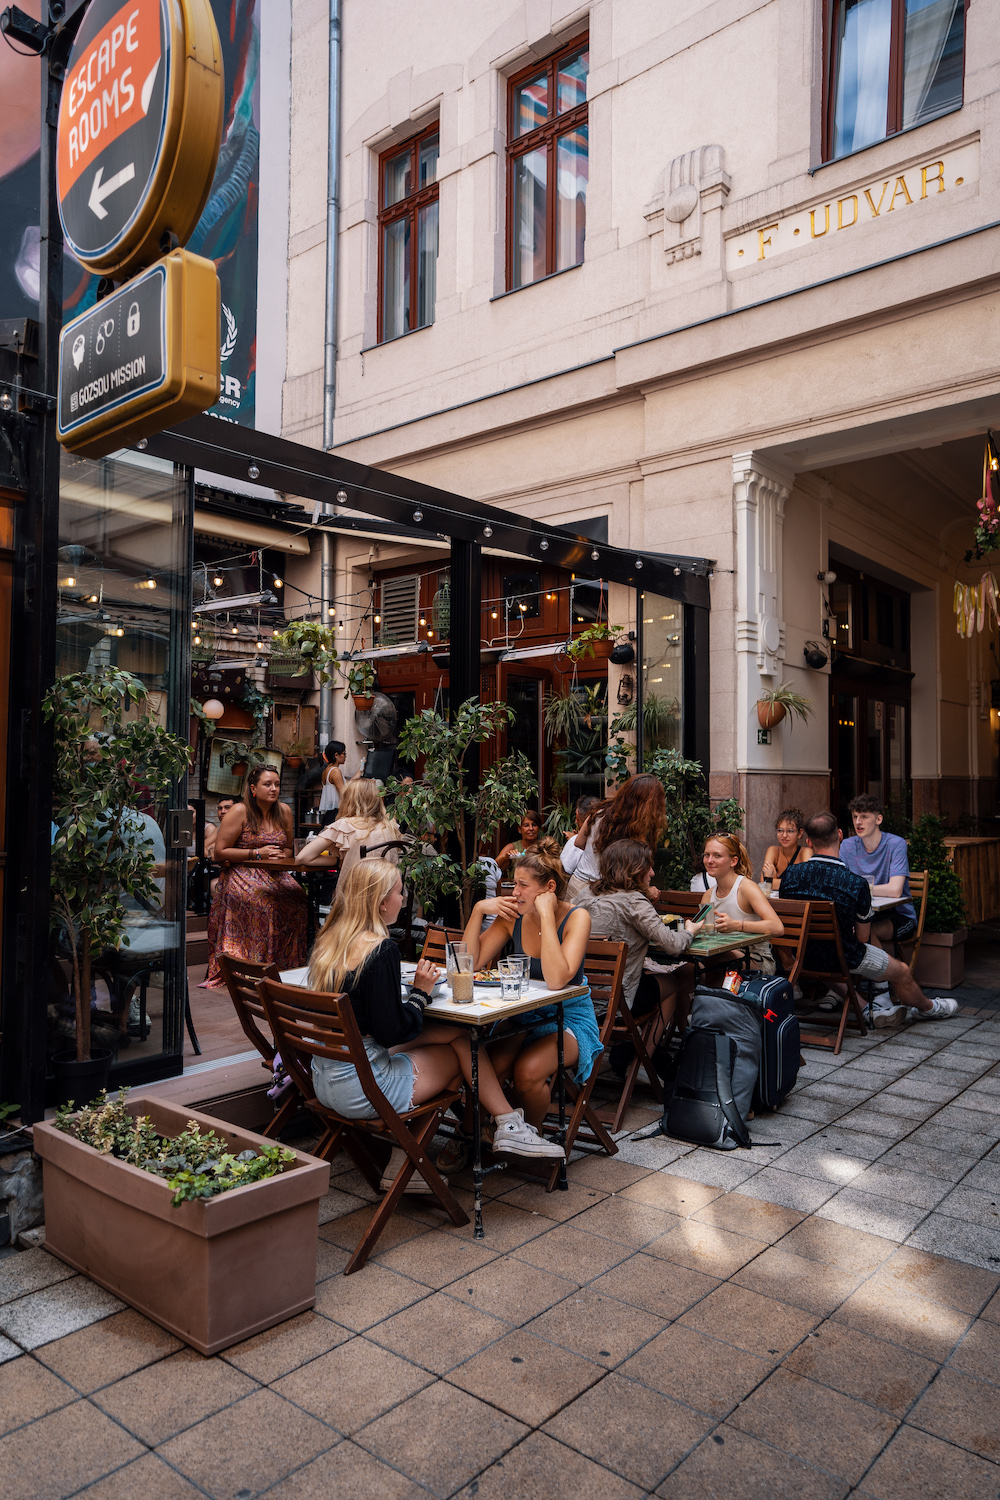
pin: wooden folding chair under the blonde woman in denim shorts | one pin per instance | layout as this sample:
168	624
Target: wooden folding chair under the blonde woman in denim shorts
311	1024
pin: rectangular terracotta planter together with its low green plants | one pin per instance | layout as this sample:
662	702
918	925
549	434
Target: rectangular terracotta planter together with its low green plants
205	1228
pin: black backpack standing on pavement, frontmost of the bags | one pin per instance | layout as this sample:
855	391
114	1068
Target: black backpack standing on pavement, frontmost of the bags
702	1108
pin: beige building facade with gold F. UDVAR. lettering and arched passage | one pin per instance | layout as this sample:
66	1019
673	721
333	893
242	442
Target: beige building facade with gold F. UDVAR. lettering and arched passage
720	278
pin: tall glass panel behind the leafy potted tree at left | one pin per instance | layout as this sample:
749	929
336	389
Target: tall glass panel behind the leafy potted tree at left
125	602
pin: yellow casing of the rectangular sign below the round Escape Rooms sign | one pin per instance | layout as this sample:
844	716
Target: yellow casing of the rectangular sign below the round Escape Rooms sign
193	370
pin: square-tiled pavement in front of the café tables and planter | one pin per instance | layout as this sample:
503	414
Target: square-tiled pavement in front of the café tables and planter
815	1318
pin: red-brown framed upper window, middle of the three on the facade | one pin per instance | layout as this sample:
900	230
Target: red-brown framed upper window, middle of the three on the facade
548	166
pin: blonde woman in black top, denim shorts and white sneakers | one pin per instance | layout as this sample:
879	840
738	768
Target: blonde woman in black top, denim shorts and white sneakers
412	1061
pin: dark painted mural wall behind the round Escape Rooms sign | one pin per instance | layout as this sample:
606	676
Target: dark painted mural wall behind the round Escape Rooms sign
227	232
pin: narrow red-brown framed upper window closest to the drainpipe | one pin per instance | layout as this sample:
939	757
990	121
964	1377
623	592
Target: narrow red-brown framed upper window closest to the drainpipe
409	236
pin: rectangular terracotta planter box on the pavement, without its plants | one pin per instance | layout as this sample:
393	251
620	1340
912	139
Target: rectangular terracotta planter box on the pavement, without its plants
214	1271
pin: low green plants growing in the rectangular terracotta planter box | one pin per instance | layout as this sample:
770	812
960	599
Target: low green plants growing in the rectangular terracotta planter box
196	1165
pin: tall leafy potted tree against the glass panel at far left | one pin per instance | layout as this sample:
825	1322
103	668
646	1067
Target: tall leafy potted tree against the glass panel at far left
101	851
